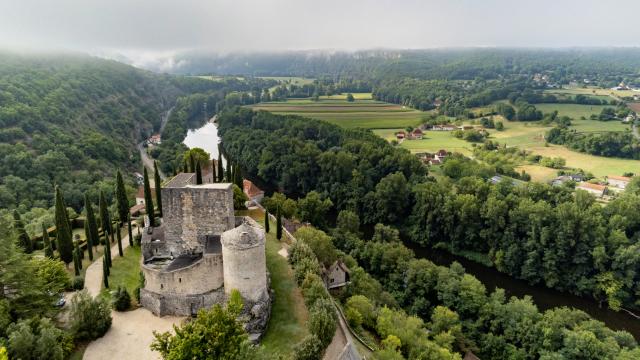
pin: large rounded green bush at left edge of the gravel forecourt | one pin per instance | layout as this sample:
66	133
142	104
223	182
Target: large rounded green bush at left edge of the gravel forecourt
90	318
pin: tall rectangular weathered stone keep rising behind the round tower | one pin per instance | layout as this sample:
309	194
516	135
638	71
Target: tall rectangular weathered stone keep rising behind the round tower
193	212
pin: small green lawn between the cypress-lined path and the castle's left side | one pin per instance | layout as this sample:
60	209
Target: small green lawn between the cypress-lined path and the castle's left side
125	272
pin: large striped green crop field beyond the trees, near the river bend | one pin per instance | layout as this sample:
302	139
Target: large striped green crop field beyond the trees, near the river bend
363	113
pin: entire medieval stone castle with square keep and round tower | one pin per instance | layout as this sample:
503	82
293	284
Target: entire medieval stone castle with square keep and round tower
201	252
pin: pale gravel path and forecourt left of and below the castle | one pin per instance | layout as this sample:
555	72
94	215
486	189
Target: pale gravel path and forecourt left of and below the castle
131	332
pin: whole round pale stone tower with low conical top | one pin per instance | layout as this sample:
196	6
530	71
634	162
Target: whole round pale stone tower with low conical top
244	261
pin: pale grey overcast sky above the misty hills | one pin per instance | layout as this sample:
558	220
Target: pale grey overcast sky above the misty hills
147	29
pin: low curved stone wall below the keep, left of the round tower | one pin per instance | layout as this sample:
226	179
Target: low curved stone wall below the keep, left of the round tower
200	277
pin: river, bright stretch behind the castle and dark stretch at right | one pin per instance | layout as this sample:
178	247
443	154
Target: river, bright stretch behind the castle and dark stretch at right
207	138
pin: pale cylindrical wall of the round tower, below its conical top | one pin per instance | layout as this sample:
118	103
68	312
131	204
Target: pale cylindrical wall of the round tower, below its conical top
246	271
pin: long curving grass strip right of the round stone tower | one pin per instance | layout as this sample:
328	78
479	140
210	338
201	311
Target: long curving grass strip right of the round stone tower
289	316
